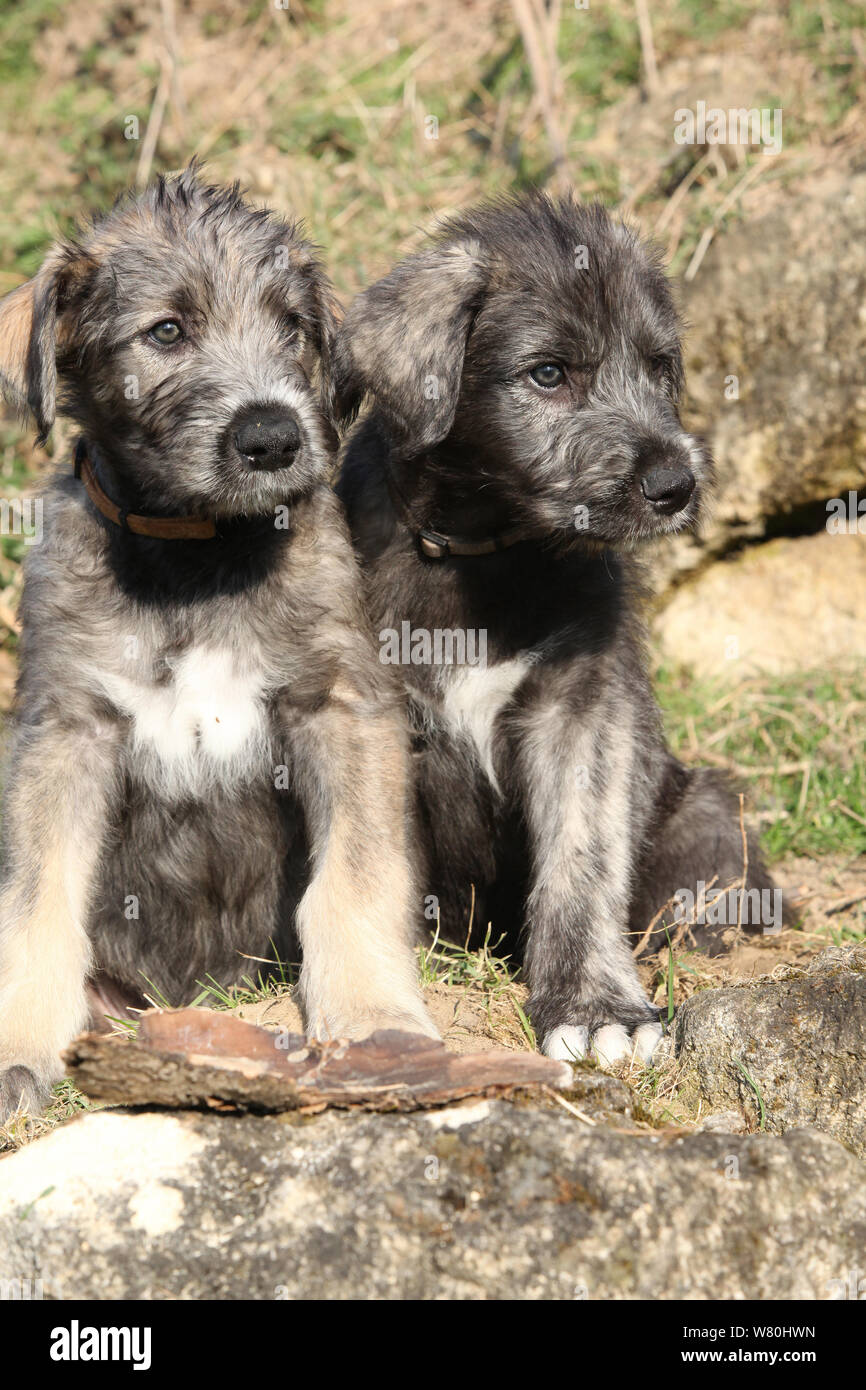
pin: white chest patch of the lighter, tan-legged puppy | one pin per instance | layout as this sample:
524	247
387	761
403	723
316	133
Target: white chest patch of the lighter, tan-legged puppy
205	723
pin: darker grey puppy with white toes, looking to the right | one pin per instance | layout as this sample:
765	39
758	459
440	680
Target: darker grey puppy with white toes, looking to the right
525	433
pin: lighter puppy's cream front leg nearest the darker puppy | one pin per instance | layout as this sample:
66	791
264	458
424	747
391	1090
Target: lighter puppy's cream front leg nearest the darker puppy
359	968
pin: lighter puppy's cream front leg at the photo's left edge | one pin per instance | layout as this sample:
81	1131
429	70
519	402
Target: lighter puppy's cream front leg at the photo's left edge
59	787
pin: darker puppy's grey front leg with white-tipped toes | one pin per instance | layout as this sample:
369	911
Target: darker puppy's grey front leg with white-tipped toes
578	789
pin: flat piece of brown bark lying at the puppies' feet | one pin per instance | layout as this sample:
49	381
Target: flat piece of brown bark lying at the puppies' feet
195	1058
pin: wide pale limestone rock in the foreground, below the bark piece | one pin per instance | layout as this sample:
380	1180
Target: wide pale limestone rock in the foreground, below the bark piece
484	1200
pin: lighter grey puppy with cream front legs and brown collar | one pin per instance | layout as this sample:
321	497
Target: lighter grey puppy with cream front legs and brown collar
206	757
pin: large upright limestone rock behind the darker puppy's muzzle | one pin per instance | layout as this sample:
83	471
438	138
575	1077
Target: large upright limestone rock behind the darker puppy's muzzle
781	305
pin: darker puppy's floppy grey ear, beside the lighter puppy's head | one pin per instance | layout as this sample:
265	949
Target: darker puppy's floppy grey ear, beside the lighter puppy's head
404	341
